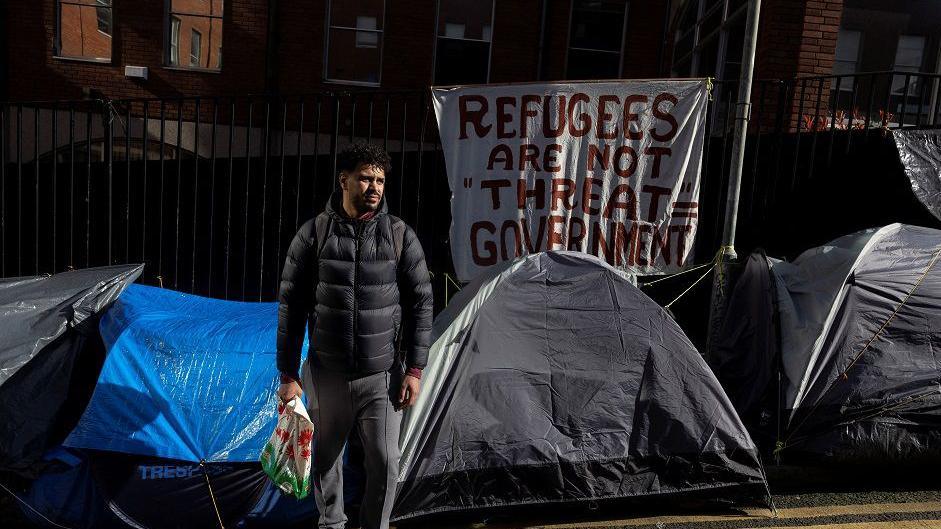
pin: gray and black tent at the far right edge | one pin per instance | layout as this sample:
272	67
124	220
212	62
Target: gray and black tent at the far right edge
860	330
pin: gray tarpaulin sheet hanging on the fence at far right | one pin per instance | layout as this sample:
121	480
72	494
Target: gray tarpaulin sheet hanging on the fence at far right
920	154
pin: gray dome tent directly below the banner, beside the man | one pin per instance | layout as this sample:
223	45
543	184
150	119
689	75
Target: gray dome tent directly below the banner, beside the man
555	379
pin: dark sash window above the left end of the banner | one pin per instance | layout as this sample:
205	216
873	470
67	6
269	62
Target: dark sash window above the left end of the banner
462	47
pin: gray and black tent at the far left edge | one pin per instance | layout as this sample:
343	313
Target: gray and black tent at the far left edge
50	354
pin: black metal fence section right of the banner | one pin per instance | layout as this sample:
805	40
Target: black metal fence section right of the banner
820	160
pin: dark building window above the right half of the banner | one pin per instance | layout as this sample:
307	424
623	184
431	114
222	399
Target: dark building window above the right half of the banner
596	39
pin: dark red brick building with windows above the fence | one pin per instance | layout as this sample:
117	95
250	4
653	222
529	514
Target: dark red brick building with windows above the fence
55	49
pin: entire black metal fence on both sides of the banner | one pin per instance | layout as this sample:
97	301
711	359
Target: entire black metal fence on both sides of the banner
209	191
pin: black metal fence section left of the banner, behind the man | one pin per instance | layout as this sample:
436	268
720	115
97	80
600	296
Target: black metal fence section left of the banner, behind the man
206	191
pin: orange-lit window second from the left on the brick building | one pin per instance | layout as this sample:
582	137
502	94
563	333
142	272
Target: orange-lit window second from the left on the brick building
202	21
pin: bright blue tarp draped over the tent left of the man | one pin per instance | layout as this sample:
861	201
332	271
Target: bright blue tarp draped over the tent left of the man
186	377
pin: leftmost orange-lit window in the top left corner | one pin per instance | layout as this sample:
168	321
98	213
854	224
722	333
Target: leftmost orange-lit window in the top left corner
84	29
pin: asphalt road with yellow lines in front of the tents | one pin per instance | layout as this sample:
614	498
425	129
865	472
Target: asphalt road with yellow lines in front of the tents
814	498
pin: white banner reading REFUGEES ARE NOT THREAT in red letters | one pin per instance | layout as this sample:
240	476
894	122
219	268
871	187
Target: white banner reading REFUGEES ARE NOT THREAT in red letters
607	168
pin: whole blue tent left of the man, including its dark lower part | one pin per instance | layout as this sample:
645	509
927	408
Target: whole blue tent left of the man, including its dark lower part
185	402
